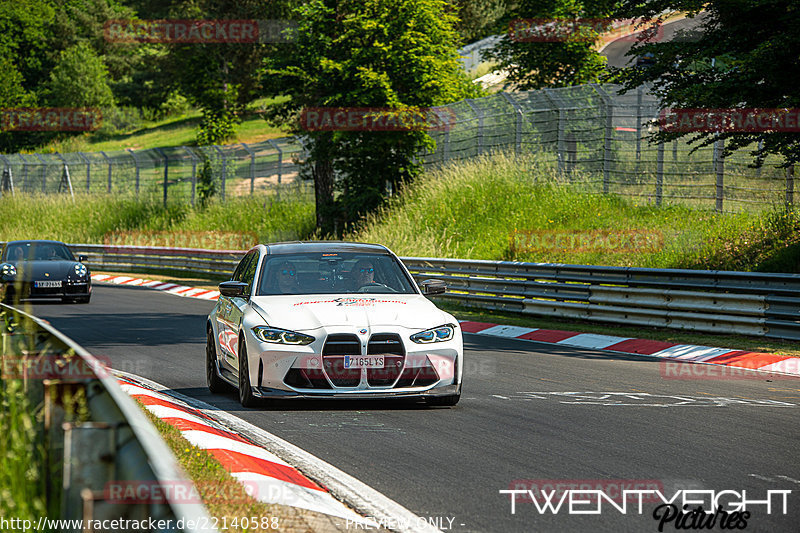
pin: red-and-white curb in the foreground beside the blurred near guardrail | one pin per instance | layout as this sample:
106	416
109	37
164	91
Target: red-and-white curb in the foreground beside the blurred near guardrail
268	478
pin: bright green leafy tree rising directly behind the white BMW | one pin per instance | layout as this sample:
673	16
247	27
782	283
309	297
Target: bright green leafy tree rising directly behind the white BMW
388	54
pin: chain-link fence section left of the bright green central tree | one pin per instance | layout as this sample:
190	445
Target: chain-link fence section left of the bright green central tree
175	173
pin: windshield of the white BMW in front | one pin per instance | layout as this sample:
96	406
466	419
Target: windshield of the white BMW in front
333	273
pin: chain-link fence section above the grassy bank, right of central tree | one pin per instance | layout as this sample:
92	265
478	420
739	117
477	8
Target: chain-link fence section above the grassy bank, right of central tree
593	135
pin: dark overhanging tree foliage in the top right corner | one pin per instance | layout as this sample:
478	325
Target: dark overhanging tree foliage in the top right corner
753	47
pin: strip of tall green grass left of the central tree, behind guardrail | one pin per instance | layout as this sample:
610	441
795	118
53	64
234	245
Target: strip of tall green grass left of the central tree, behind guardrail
126	220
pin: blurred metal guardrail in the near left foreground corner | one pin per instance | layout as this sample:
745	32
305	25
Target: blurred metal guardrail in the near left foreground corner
112	441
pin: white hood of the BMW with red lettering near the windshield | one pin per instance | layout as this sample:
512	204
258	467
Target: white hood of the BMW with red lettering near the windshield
300	313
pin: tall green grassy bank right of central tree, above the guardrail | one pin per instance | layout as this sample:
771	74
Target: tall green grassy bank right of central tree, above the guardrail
479	208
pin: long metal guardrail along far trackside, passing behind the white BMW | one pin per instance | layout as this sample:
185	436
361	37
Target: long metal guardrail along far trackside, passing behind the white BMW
700	300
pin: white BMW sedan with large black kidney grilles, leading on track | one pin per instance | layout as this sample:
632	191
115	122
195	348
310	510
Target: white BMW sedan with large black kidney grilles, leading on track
331	320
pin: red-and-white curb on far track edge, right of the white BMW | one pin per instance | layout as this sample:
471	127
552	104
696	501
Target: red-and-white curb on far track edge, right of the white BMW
765	362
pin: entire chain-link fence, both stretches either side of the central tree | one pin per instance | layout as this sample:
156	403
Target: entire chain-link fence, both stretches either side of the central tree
588	134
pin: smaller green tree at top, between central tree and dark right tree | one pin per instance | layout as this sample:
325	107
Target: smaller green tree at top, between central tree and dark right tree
565	57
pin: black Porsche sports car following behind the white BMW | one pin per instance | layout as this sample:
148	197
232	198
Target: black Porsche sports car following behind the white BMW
43	269
